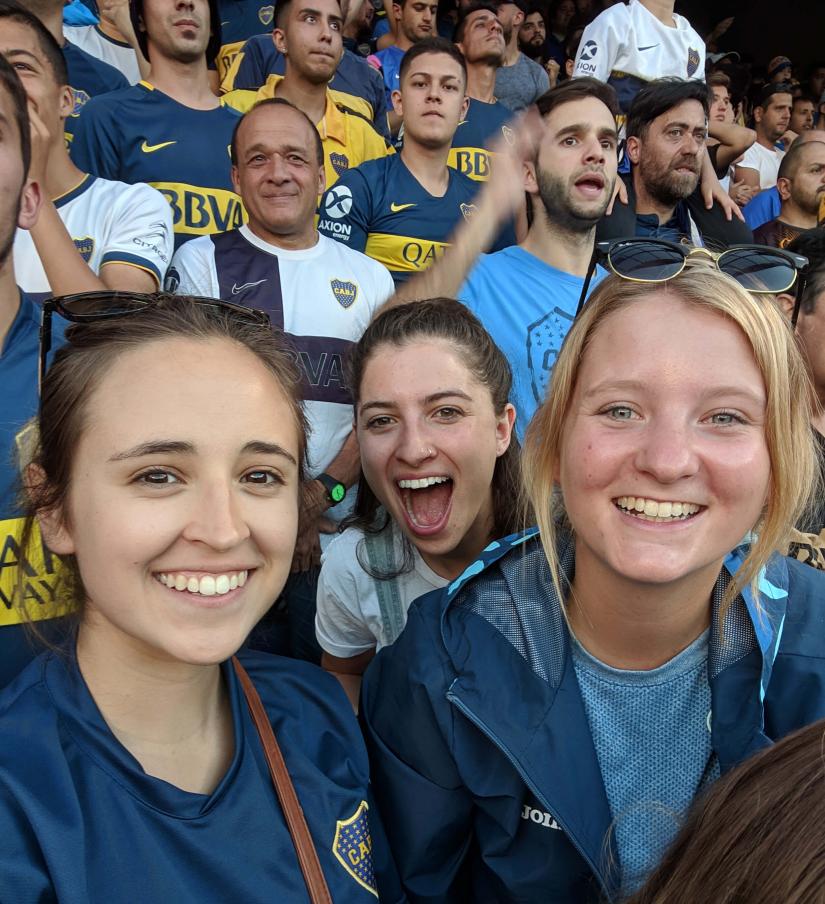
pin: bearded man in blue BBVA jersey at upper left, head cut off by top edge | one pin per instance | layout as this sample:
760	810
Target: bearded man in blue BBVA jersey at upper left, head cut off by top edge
171	131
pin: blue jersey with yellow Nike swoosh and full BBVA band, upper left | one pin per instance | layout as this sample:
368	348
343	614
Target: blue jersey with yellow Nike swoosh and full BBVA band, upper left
143	135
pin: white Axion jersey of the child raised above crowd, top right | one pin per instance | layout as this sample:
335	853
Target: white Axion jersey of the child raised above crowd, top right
627	46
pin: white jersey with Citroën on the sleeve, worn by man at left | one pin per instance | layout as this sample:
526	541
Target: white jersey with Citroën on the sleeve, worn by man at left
110	223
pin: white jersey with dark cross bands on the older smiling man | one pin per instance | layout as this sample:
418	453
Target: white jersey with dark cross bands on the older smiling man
323	297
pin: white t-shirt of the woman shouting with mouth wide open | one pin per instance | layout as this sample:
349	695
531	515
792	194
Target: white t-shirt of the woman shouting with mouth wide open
348	618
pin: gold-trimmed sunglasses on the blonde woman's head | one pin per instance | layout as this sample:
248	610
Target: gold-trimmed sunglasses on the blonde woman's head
758	268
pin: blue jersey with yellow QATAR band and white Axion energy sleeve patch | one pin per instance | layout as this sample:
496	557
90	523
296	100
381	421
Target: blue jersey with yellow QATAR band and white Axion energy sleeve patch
380	208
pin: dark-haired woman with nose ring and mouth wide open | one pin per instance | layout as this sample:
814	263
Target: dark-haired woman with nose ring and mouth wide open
440	475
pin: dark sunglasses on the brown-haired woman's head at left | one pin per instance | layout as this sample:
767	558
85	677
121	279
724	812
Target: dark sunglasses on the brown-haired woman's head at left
93	307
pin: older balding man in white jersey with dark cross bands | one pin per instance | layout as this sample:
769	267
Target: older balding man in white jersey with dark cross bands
321	294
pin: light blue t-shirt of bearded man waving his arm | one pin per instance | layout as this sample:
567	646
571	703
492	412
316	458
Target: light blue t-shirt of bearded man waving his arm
527	306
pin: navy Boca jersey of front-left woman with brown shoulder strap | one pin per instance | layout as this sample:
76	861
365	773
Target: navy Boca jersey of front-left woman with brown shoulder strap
82	823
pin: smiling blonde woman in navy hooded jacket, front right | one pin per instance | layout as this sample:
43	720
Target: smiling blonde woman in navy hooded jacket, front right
542	724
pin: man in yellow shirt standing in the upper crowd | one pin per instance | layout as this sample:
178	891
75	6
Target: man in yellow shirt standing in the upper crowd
310	36
